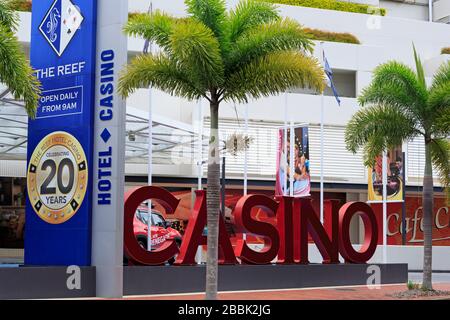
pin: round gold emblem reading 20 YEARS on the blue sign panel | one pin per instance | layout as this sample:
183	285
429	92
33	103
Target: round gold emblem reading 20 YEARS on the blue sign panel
57	177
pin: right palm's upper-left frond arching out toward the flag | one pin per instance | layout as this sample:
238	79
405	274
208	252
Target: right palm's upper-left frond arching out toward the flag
395	84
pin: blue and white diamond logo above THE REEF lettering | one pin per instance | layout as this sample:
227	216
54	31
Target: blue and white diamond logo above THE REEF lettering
60	24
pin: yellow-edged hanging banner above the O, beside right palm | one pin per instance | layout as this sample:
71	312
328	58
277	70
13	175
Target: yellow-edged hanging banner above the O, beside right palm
395	169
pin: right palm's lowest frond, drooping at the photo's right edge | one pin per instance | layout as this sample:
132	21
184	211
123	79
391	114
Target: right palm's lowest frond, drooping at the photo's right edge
440	156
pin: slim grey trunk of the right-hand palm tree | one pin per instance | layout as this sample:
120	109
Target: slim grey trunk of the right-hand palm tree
427	208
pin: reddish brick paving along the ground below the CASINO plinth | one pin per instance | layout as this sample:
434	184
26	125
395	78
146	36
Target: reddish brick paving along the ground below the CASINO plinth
335	293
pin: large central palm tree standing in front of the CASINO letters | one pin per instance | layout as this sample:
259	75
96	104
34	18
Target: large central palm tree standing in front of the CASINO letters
219	55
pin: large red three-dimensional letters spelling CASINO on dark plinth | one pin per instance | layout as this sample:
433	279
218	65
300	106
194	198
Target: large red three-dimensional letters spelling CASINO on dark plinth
287	242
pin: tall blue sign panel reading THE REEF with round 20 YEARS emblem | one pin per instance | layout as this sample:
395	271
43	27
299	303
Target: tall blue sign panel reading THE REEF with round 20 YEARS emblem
60	138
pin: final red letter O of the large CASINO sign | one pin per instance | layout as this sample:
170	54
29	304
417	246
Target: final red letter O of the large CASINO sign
369	246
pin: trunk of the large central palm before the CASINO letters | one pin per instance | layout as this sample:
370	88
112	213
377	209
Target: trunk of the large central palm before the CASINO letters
212	204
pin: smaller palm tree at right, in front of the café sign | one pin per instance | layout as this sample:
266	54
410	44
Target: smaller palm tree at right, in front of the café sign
399	106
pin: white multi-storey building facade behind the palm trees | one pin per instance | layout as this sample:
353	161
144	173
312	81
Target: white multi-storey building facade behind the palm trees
178	123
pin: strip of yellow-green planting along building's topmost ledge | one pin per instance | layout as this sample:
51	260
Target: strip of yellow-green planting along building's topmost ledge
333	5
